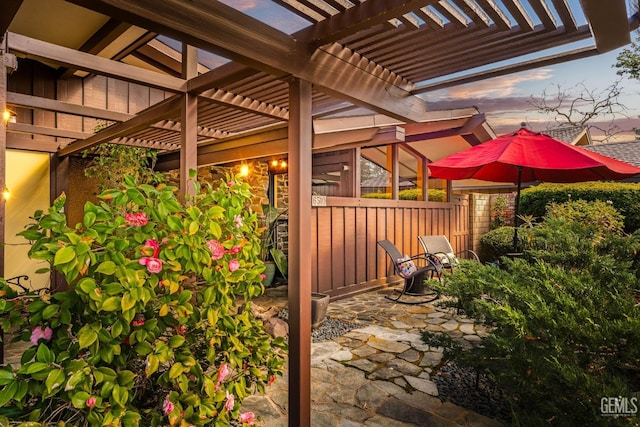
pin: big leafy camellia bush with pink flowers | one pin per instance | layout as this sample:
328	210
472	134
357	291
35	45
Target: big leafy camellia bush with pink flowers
156	327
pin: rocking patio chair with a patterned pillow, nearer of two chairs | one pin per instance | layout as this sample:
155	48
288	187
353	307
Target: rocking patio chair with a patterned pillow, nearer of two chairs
414	271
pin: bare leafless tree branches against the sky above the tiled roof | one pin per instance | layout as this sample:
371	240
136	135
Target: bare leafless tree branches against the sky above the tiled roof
584	107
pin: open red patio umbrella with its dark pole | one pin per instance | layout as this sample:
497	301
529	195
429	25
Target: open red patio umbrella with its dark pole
526	156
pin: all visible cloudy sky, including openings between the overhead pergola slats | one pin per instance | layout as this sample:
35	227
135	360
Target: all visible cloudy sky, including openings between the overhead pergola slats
506	100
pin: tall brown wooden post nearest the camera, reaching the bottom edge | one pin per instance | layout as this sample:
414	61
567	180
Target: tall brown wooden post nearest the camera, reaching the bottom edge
300	143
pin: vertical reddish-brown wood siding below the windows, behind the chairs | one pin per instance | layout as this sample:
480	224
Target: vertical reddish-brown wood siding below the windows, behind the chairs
345	232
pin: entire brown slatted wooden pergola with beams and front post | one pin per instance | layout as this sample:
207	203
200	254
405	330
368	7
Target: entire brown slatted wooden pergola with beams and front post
233	77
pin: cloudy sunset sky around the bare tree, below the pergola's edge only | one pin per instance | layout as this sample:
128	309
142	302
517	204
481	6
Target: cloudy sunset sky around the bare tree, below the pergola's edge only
506	100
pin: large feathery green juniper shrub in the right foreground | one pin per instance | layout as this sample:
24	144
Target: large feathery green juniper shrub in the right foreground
564	320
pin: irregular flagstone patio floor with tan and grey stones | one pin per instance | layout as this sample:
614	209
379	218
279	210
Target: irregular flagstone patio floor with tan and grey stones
379	373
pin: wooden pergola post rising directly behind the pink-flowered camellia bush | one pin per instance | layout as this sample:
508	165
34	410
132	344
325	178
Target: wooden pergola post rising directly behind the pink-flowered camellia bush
189	122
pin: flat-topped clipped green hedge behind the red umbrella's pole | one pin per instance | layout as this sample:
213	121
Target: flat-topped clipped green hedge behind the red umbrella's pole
625	197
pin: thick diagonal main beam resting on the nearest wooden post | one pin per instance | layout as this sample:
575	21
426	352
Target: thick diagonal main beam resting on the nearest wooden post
257	45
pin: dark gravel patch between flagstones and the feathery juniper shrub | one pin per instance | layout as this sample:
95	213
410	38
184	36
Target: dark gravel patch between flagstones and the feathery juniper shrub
457	384
